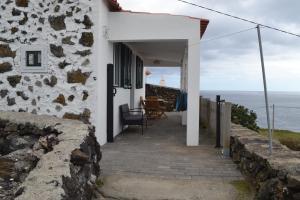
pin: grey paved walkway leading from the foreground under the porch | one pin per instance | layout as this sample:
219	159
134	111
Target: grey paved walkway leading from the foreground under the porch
158	165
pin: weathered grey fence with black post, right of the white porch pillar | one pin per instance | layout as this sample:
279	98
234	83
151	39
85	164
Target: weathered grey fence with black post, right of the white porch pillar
209	113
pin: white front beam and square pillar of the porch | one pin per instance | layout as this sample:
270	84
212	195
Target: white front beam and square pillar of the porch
126	26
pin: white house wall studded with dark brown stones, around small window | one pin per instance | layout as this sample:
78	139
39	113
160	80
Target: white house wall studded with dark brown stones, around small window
65	27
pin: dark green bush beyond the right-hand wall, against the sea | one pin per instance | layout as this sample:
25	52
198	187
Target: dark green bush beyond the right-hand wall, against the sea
243	116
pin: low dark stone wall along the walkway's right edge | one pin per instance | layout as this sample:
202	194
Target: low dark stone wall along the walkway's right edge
276	176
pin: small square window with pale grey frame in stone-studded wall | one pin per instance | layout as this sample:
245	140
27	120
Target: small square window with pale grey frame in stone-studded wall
33	59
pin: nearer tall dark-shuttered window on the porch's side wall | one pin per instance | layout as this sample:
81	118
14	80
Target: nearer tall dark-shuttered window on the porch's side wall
122	63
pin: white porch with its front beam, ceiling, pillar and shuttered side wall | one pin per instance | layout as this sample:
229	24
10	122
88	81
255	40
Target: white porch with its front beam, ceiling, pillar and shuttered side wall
158	40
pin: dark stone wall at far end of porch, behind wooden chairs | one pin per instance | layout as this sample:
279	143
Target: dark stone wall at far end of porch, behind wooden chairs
166	93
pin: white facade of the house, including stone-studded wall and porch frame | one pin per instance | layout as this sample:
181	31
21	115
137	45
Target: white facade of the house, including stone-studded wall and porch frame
159	39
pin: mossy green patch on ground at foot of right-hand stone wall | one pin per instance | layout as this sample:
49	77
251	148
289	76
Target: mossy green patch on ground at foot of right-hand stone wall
243	188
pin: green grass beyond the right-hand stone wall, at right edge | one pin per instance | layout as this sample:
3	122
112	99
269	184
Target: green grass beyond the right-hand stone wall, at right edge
288	138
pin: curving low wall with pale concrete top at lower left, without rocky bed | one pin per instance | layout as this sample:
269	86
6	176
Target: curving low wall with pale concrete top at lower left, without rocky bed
56	175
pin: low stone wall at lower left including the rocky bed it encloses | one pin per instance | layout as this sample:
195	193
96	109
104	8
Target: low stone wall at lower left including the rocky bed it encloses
67	170
